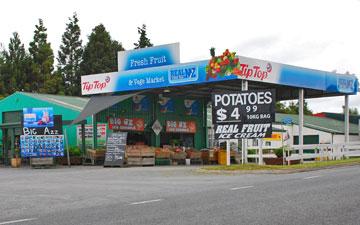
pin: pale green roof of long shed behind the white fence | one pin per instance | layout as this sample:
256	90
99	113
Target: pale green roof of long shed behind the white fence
319	123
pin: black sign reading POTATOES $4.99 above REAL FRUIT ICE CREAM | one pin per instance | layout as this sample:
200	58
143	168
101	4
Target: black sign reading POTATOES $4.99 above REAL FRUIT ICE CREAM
246	114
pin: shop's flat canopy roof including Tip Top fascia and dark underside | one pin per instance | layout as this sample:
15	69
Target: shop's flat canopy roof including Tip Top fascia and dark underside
197	79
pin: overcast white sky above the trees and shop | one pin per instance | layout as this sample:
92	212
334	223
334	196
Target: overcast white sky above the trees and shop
319	34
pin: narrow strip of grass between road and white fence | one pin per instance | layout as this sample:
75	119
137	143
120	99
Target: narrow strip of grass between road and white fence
315	165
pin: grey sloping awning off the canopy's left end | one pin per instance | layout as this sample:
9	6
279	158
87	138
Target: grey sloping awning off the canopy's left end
99	103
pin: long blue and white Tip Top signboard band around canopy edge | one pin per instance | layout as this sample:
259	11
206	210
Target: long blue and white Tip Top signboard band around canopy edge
162	76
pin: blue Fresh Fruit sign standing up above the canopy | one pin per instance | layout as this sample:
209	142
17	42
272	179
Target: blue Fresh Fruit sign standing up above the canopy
149	57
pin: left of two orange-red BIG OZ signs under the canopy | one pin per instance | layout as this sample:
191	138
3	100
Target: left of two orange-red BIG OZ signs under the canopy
133	124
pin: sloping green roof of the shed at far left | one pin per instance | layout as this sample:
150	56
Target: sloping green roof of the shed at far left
72	102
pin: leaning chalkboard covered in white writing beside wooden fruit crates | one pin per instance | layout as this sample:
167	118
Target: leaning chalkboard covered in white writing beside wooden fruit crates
115	149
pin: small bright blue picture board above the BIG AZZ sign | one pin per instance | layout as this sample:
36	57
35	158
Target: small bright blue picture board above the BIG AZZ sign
38	117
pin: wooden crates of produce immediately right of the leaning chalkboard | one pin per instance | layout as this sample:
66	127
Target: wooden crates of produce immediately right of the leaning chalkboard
140	155
